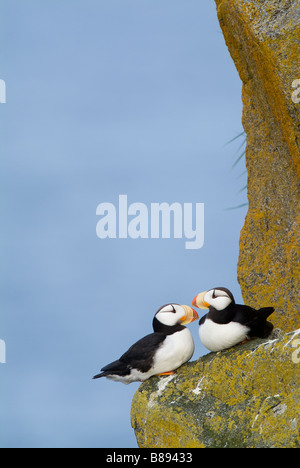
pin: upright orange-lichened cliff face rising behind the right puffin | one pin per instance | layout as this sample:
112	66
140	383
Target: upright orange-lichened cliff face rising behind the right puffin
264	41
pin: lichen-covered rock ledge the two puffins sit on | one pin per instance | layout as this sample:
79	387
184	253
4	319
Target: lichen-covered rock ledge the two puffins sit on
247	396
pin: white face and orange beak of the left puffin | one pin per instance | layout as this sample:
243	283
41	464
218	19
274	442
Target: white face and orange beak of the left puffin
172	314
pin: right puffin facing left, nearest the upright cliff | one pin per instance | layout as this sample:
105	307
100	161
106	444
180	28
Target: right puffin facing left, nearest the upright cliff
227	323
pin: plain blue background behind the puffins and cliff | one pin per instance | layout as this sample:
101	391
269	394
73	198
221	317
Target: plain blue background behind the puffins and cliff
105	98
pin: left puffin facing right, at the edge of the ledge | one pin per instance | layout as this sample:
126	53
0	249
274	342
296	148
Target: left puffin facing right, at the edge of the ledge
159	353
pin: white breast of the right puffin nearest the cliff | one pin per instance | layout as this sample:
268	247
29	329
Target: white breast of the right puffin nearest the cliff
217	337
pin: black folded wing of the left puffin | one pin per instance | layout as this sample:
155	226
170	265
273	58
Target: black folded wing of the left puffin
140	355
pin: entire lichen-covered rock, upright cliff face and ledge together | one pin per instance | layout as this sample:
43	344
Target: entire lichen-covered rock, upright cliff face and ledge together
248	396
